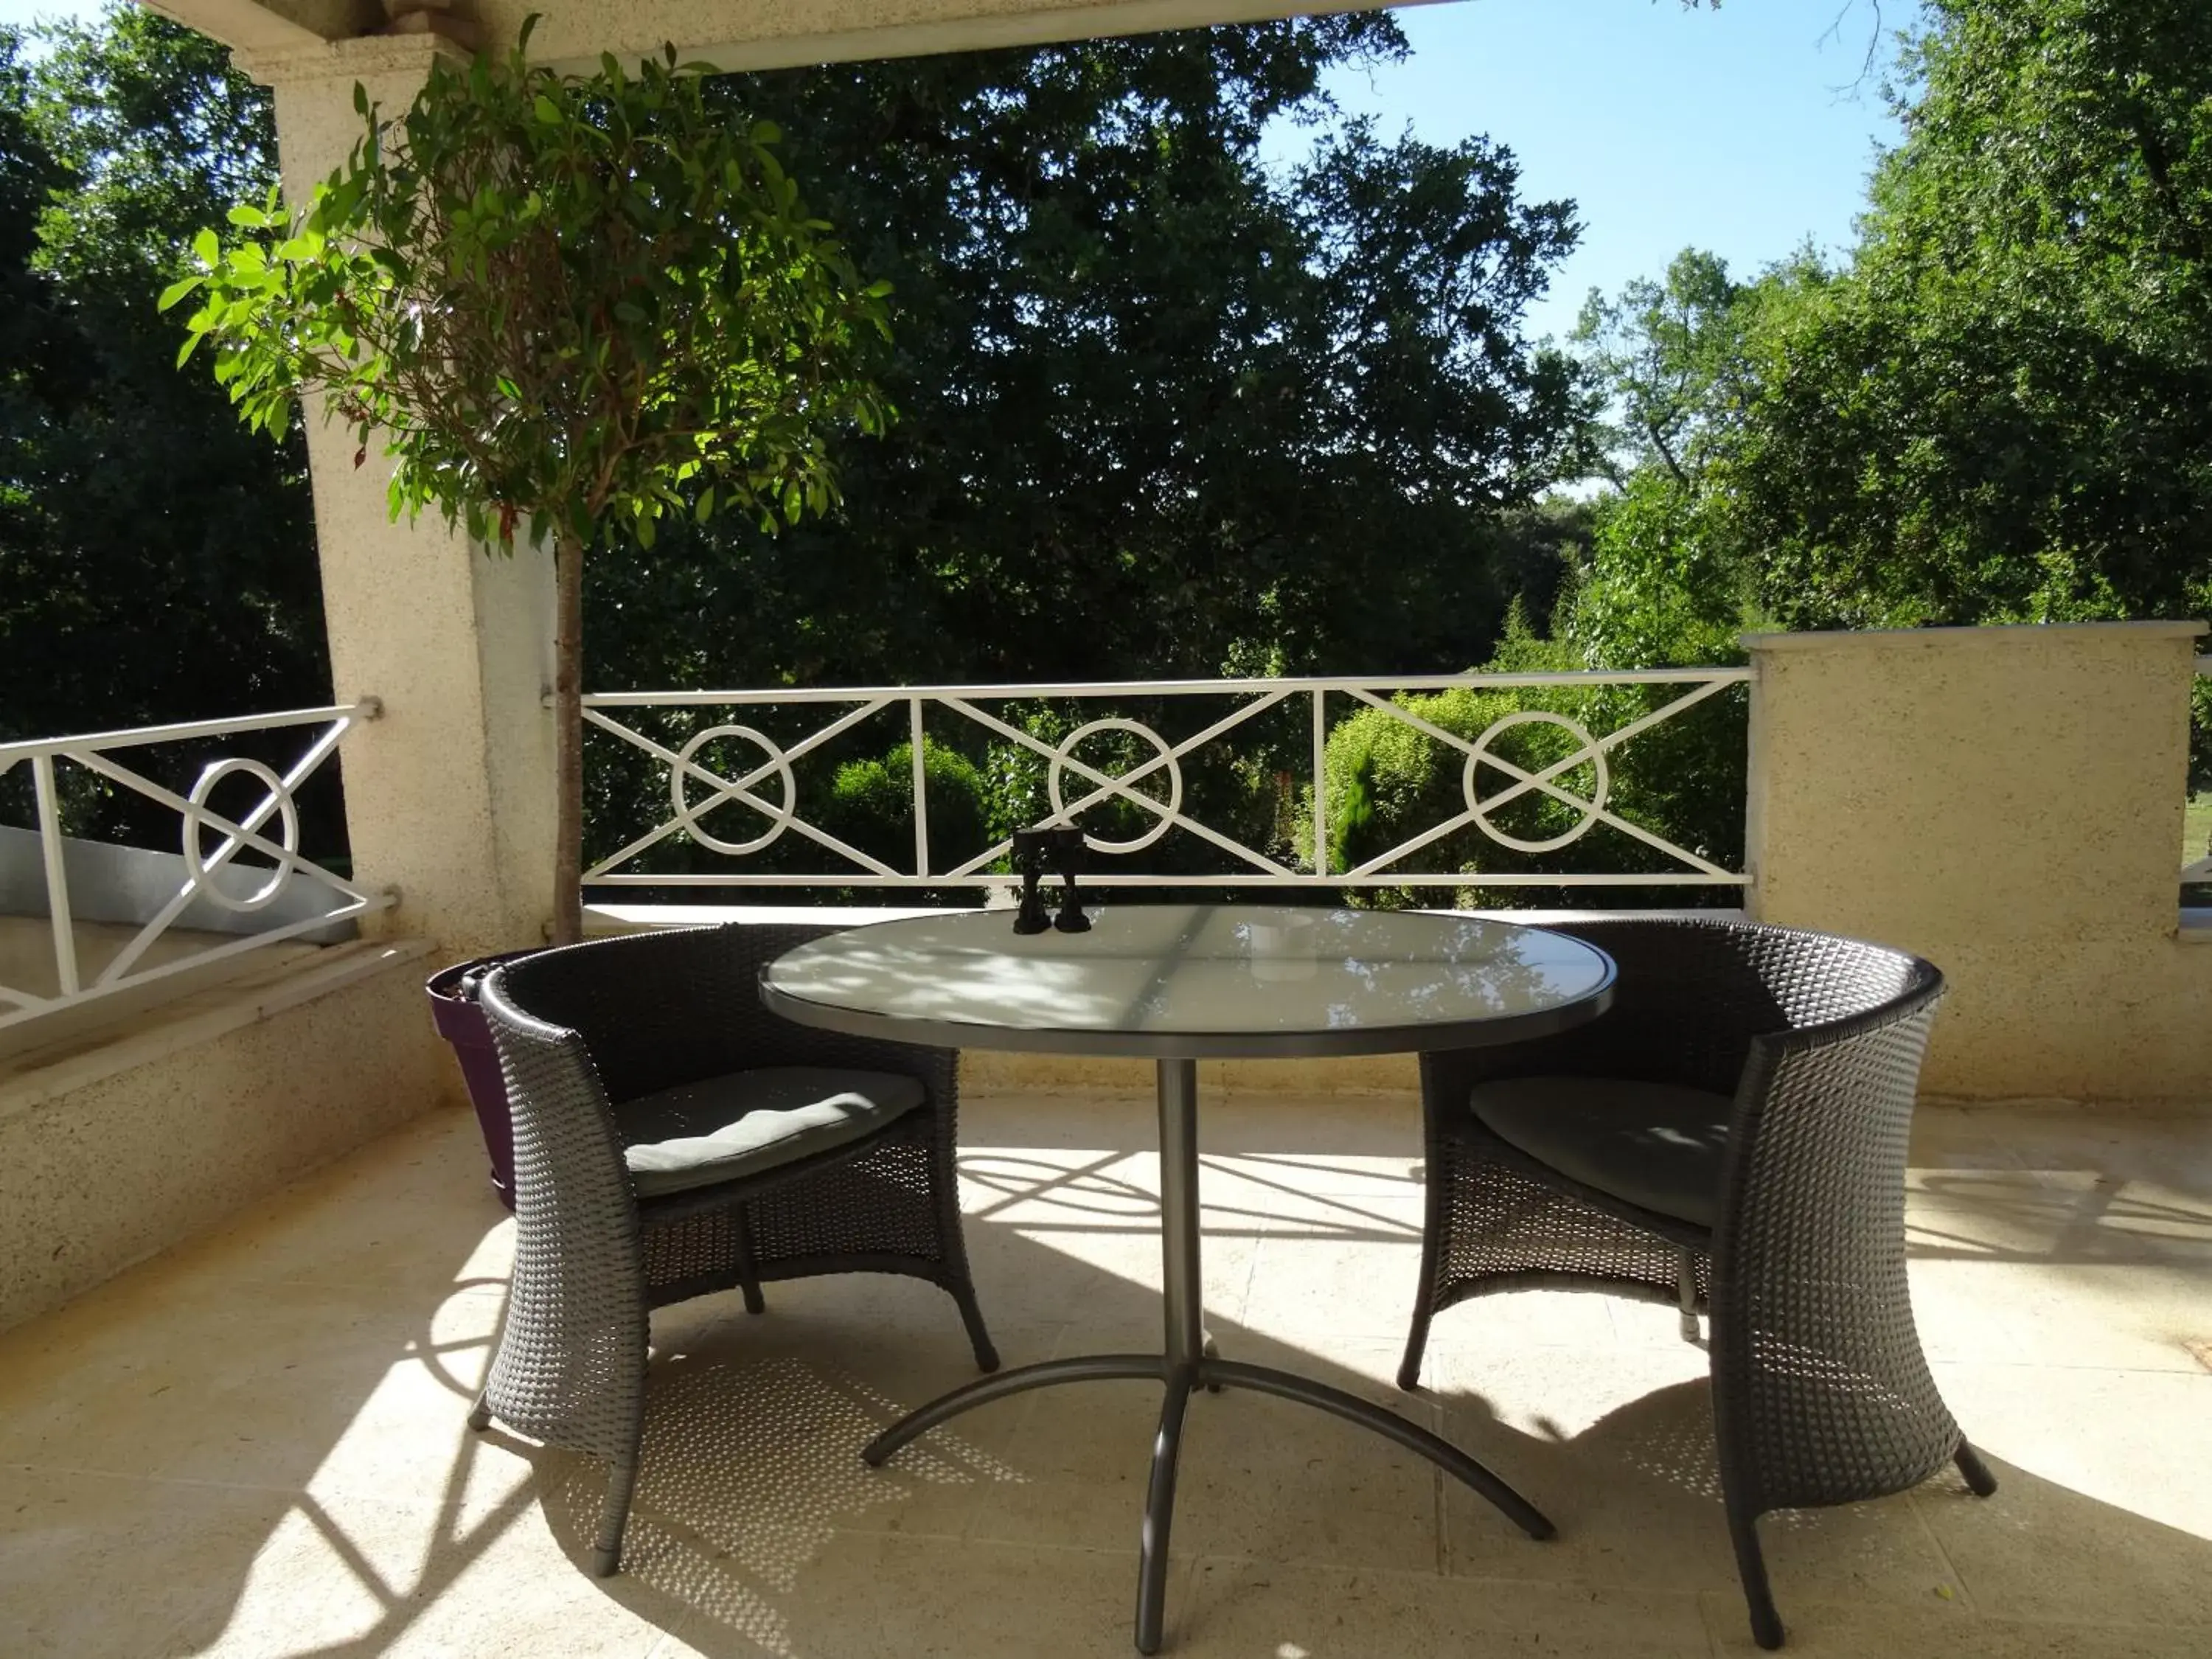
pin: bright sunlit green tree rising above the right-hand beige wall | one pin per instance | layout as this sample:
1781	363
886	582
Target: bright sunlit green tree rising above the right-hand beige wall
1996	410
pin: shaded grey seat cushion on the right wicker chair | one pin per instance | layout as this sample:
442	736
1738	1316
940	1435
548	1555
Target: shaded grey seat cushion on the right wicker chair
1653	1145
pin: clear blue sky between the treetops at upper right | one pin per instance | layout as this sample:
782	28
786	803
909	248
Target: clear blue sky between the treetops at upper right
1733	129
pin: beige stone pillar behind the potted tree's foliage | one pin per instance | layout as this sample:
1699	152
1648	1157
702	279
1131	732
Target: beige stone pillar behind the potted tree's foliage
450	795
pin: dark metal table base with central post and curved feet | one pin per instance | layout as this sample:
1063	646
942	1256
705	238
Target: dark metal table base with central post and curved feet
1189	1364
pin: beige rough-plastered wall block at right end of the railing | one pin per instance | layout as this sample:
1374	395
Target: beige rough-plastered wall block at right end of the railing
2005	802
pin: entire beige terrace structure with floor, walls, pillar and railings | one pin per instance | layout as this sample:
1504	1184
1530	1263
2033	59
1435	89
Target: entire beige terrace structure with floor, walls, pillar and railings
251	1271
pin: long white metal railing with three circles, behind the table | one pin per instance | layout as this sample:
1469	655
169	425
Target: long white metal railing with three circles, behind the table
1244	866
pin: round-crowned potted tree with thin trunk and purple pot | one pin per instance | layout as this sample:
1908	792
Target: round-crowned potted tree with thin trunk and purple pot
565	306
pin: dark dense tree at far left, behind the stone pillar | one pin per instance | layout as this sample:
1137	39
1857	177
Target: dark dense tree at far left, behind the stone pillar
156	561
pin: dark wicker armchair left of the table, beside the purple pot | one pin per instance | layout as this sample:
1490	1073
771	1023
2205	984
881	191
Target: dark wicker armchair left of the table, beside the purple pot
589	1039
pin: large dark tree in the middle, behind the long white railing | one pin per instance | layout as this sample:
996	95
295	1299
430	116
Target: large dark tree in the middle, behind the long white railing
1160	408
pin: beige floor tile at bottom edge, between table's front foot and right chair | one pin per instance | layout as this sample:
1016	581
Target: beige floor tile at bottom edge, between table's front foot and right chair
1266	1611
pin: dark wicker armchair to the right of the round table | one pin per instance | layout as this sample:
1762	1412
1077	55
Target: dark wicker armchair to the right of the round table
1729	1138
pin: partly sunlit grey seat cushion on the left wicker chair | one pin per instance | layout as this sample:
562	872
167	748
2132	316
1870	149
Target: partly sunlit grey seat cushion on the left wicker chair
753	1120
